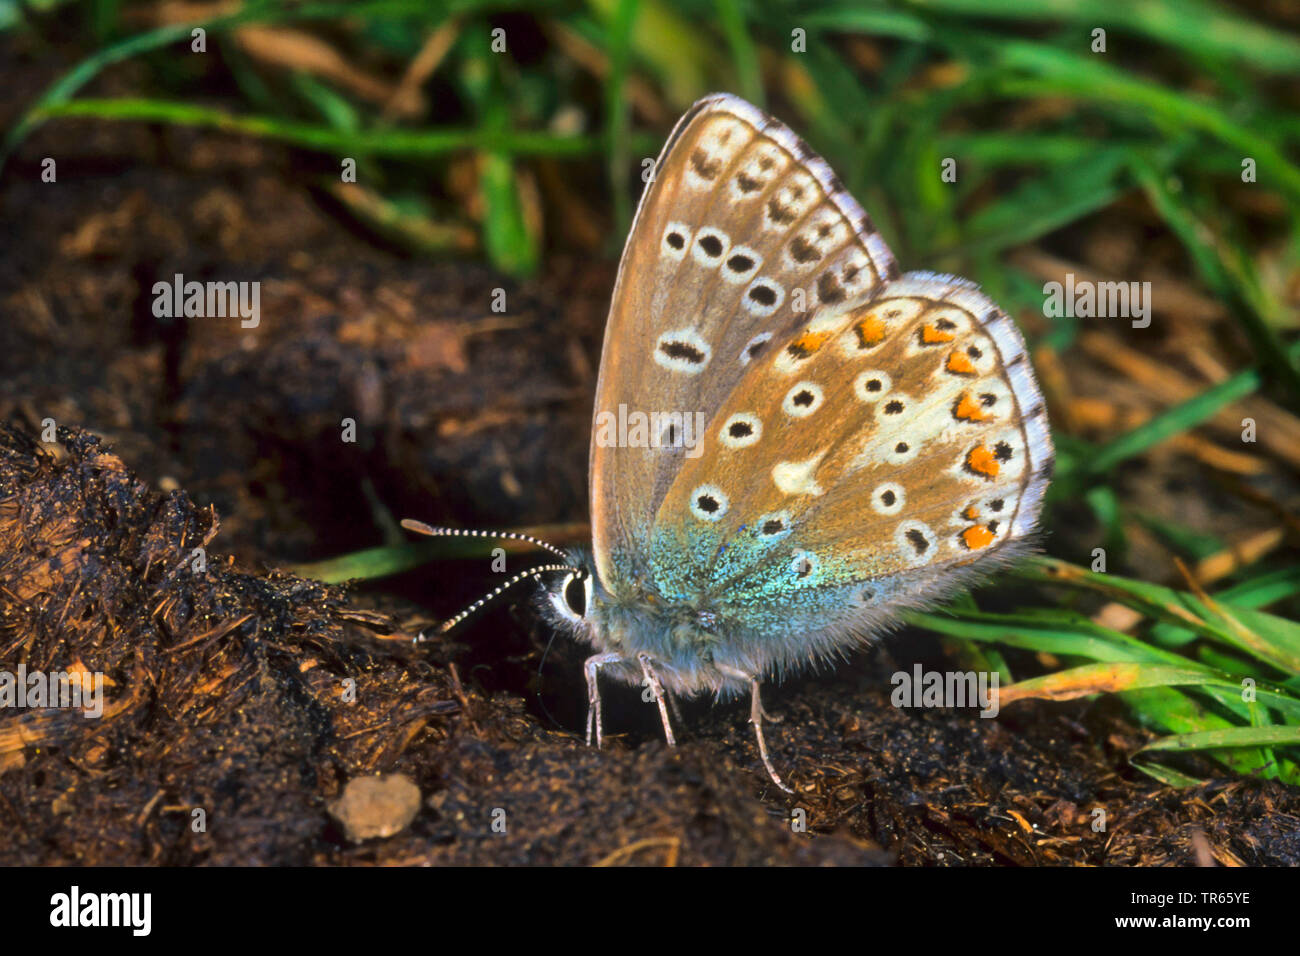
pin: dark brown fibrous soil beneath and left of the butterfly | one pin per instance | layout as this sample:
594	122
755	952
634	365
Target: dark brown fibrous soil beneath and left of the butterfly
229	684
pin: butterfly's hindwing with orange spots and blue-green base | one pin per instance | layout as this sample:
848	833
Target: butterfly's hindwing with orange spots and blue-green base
881	443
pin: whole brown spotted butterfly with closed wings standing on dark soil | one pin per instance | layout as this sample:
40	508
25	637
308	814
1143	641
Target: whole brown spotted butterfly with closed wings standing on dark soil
792	442
